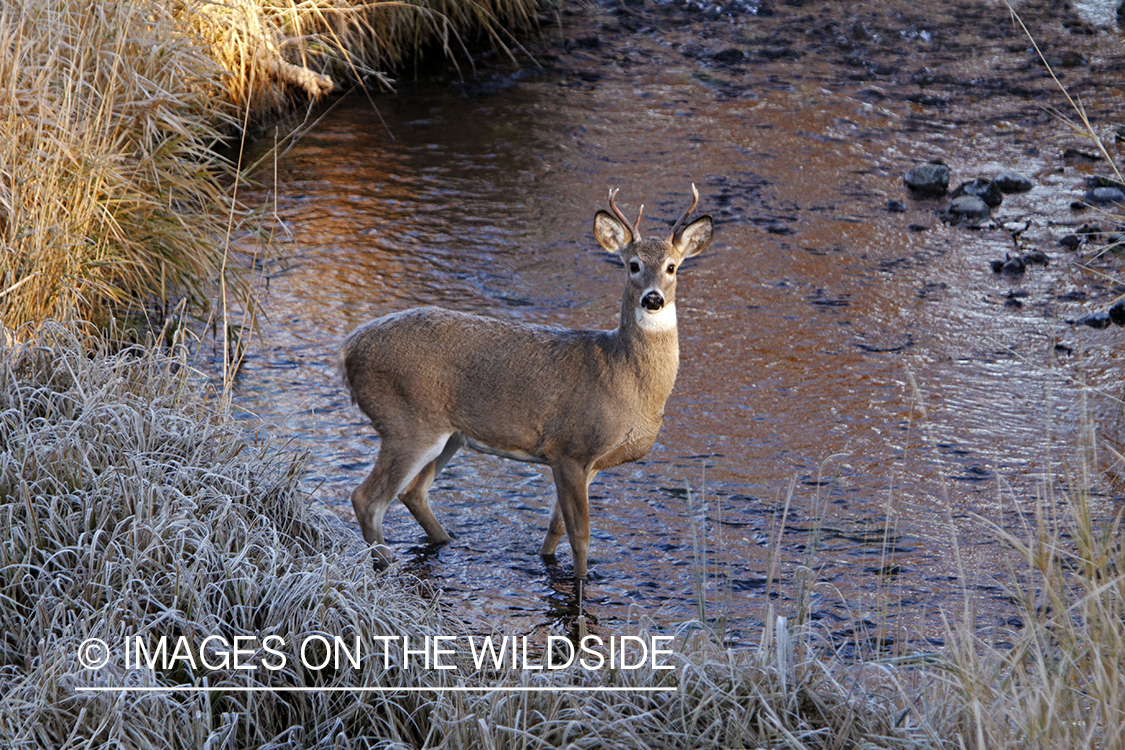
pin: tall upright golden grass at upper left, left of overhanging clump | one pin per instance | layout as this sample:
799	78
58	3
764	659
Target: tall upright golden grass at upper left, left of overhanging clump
111	193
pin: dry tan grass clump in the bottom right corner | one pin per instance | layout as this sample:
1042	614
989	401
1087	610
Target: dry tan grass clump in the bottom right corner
1061	684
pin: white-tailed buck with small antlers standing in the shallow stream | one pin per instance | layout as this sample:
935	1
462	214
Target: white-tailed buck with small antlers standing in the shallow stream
434	381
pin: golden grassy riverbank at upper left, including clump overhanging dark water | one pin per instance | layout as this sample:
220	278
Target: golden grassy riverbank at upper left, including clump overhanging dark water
114	200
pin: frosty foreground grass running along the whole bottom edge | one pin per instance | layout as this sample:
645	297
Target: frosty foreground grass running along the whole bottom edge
131	507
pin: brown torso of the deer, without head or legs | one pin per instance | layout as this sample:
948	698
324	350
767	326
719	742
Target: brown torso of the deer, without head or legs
518	388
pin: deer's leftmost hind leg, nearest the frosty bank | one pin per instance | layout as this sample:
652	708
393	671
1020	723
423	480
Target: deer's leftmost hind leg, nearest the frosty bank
399	465
